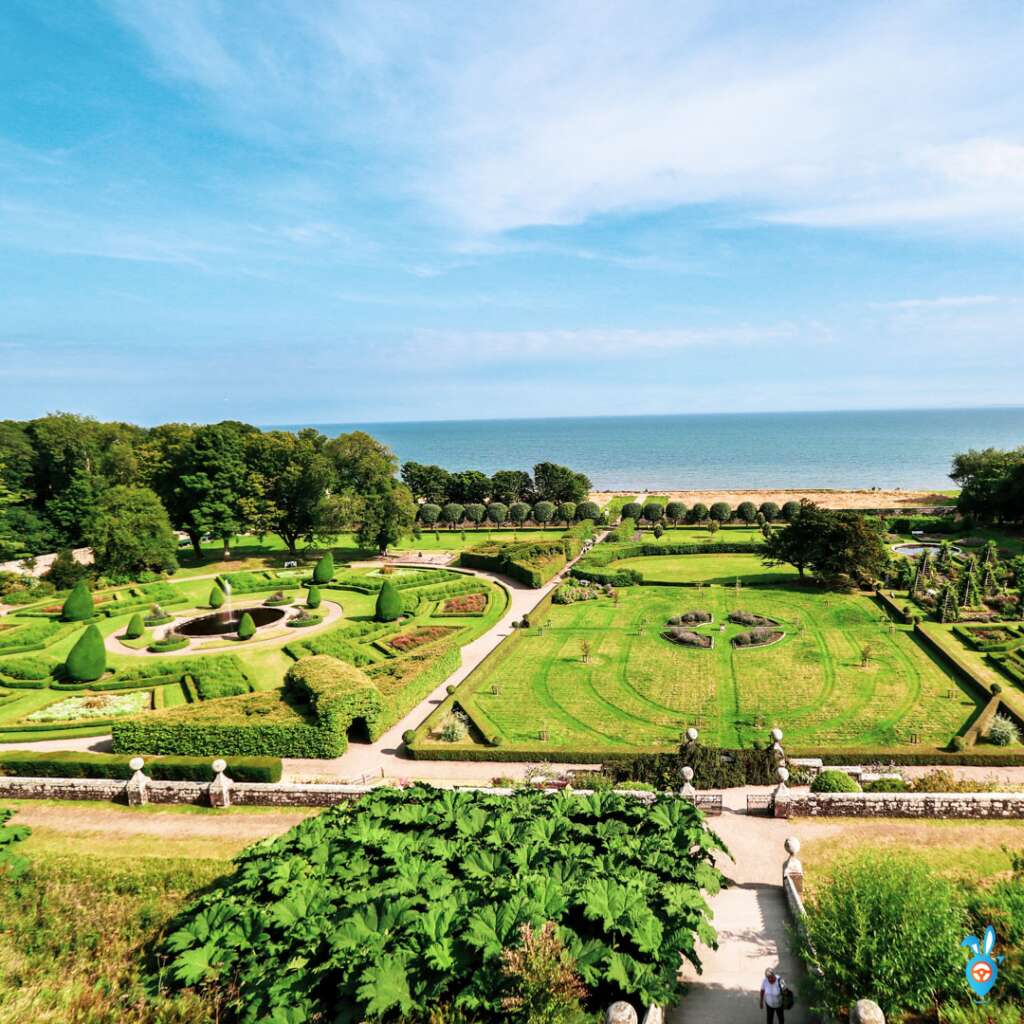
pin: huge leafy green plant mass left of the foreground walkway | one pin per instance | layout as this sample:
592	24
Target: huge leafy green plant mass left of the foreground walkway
405	901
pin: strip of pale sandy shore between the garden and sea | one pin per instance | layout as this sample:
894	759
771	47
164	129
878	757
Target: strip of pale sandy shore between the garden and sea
833	498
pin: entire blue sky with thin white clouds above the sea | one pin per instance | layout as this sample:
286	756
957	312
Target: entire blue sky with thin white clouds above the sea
343	212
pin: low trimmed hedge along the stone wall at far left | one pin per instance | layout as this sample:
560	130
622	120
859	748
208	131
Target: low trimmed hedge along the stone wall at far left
73	764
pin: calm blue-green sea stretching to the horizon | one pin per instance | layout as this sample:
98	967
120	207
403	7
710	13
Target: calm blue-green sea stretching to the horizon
910	449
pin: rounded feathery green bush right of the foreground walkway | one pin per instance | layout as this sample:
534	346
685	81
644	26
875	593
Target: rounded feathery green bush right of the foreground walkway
884	928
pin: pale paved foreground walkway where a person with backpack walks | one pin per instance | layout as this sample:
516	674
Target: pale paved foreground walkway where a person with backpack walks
752	919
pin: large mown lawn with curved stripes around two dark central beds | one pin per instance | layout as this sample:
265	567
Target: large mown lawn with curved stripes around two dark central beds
639	692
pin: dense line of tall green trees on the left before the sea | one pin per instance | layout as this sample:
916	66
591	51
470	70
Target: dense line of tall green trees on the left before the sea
69	481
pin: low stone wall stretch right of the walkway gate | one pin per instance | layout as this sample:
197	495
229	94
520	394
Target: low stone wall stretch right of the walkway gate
904	805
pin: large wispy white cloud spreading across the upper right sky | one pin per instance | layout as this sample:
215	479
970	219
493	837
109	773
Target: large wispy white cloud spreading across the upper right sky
549	114
